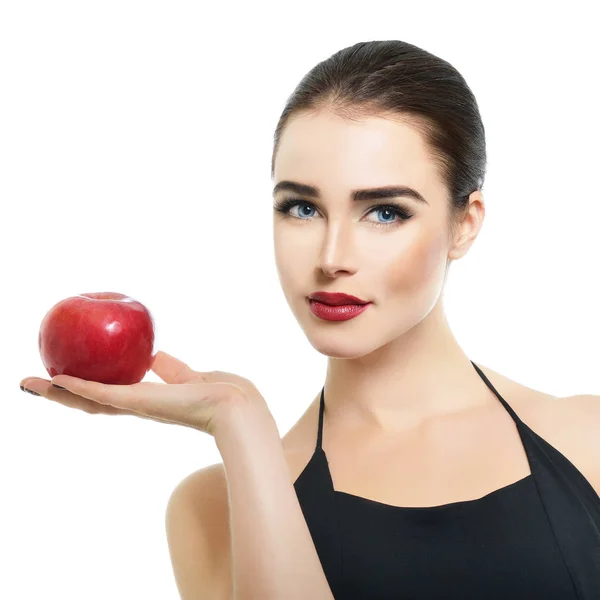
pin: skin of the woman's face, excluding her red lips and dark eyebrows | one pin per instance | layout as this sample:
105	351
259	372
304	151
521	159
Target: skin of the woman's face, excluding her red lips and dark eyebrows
330	243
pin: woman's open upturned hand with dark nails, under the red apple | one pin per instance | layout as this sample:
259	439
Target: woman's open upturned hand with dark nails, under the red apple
200	400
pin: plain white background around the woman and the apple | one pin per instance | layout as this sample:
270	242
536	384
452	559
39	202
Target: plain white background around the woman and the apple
135	148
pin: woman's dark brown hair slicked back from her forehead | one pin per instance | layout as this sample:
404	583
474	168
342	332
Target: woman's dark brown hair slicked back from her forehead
399	80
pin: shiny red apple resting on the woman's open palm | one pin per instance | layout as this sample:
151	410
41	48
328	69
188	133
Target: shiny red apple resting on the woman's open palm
101	336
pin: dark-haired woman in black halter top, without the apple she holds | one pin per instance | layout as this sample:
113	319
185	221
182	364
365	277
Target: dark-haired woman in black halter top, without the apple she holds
413	476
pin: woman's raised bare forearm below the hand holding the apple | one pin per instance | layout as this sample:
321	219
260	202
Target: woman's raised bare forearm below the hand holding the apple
273	554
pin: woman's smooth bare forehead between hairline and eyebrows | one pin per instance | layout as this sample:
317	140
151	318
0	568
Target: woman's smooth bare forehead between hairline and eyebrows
325	147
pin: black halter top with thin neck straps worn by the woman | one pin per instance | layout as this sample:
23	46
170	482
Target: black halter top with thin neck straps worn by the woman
536	538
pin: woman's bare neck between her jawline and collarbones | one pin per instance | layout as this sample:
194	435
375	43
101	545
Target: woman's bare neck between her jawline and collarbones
418	376
